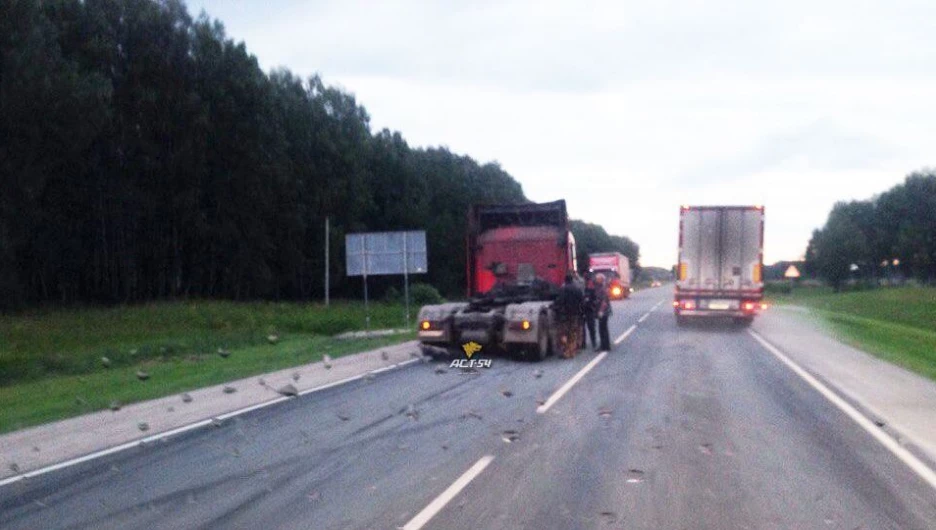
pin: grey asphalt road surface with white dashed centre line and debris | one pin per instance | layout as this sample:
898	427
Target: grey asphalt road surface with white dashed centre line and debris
697	427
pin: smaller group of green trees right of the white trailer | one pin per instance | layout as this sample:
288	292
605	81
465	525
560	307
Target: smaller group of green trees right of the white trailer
892	234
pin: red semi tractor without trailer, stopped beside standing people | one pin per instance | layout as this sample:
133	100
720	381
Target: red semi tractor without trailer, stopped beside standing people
518	256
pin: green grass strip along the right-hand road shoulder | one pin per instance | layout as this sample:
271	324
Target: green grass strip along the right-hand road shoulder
896	324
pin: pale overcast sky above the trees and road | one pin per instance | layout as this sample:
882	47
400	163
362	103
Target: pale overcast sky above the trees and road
629	109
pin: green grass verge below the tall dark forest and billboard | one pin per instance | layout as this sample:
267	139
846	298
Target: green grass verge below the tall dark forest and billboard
51	368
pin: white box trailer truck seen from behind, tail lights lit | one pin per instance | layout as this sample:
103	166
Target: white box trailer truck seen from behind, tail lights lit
721	251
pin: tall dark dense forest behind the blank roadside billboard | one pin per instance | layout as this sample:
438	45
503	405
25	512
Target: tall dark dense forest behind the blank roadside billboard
145	155
